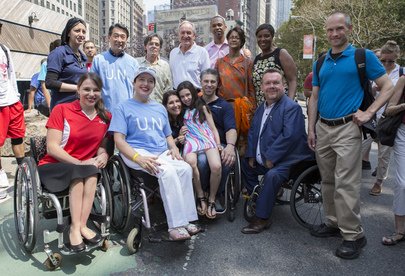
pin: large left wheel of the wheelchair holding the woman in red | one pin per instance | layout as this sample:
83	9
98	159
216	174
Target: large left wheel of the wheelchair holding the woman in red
26	213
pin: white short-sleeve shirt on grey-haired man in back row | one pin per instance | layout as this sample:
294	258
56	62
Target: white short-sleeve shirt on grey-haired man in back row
188	66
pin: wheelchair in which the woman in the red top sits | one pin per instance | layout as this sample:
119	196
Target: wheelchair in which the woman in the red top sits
33	202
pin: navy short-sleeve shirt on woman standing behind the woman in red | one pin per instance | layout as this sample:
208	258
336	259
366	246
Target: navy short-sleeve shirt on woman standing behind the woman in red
69	68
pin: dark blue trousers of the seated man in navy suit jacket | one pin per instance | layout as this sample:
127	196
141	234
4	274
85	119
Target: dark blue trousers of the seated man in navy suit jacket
273	178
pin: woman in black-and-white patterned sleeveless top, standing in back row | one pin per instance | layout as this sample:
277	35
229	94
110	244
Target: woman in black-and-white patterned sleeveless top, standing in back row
272	57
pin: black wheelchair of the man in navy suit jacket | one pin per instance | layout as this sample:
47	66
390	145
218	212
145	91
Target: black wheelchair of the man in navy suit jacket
304	190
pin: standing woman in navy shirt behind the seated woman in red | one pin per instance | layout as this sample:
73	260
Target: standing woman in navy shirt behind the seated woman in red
67	63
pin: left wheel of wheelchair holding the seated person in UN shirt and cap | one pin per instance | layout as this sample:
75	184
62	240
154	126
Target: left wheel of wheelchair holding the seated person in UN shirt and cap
120	193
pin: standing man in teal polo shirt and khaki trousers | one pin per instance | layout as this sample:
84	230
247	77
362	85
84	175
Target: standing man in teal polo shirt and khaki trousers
336	137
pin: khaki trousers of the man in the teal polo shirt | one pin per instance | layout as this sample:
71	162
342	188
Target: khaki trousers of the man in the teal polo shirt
338	154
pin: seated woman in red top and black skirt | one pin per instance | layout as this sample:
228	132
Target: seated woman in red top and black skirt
75	153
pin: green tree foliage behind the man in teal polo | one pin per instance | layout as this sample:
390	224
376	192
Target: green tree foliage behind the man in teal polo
374	22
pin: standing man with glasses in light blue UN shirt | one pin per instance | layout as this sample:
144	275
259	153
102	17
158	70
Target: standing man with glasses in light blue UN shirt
116	68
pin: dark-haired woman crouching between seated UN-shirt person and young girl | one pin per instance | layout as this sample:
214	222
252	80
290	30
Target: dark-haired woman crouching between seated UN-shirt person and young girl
174	109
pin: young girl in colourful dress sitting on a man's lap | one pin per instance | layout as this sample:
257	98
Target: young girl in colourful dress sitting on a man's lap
202	135
